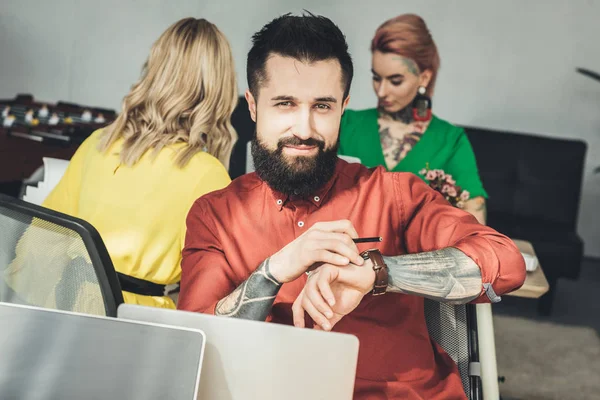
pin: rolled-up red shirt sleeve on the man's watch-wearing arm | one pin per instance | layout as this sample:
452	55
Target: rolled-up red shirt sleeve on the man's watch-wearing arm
431	223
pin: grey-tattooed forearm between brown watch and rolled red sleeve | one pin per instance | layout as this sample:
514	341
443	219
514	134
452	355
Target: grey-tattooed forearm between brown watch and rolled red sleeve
446	275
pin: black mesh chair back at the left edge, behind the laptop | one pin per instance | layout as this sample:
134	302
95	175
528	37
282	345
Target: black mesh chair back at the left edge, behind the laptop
52	260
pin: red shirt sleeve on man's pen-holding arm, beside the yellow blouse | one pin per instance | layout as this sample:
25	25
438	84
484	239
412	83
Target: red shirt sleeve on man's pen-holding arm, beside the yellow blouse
206	276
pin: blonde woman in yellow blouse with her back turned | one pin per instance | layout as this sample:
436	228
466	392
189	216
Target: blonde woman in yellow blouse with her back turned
136	180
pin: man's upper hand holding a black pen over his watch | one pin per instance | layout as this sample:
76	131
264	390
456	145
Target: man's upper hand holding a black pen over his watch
325	242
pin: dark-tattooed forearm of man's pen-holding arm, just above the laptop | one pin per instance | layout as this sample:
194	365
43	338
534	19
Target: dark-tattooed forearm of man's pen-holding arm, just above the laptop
254	298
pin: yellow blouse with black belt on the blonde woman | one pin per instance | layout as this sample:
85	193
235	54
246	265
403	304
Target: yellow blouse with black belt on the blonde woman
139	211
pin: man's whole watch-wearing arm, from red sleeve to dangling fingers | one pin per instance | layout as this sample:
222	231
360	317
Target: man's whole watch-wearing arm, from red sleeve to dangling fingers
449	257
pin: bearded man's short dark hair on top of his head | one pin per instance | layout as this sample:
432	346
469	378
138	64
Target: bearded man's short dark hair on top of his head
307	38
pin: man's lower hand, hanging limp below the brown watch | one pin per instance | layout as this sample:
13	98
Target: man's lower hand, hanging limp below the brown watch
332	292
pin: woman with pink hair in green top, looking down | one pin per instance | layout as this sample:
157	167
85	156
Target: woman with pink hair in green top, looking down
401	133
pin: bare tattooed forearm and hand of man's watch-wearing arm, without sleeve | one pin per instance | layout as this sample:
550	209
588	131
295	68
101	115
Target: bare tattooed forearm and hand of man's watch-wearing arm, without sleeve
446	275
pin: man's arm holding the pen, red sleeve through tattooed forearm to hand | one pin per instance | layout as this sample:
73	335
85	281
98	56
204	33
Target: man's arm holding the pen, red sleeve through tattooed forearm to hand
209	281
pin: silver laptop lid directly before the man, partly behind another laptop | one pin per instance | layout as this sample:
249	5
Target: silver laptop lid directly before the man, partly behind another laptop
257	360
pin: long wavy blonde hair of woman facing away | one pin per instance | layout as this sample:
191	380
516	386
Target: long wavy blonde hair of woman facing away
186	94
